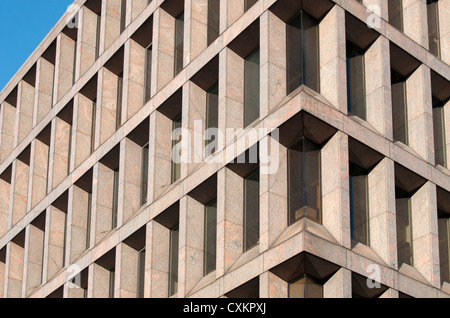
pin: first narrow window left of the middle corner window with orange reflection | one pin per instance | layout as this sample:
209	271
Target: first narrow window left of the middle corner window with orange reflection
251	210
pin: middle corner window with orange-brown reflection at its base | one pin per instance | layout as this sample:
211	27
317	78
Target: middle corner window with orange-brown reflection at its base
304	181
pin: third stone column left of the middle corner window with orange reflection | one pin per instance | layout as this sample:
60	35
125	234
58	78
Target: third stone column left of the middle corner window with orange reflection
191	244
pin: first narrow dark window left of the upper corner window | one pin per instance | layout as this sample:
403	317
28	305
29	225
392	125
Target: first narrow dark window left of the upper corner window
251	87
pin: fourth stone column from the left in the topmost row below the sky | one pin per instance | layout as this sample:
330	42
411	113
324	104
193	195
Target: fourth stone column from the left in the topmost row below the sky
65	66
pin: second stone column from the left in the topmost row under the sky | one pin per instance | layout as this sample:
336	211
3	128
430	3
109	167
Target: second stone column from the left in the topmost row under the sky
24	116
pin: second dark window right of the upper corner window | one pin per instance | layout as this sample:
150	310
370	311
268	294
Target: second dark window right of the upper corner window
399	107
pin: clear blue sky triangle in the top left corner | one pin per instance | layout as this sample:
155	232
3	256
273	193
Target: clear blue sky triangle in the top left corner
23	25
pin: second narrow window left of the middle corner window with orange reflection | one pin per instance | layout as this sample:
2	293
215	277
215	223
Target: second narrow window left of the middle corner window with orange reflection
210	238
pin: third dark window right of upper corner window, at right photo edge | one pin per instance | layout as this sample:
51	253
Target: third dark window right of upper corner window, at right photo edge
440	147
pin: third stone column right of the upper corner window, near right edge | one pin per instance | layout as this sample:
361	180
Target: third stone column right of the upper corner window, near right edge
420	116
